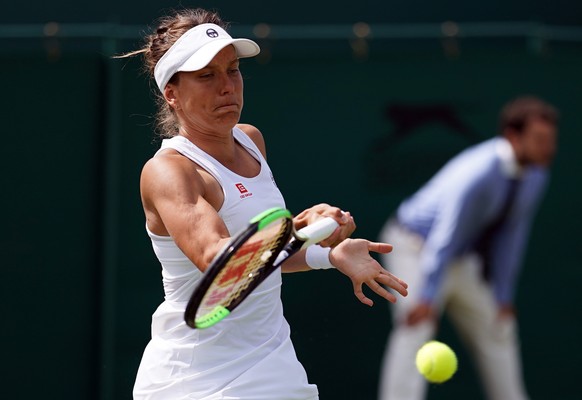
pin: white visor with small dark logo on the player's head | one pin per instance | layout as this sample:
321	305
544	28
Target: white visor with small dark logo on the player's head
196	48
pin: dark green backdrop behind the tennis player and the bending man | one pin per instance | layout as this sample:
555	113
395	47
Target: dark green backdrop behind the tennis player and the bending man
372	96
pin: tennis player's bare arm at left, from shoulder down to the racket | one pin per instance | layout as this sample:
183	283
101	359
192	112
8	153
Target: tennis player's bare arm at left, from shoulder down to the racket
175	197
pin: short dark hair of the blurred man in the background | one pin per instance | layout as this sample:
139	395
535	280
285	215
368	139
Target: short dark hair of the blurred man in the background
516	114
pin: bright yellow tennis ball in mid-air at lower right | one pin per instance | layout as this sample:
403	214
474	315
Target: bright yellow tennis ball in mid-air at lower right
436	361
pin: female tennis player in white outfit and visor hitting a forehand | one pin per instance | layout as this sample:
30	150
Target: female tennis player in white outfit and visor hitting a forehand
209	178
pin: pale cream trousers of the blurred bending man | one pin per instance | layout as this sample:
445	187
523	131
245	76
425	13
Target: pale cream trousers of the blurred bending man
468	301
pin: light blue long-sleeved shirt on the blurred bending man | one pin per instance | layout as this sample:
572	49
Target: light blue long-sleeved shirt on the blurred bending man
452	209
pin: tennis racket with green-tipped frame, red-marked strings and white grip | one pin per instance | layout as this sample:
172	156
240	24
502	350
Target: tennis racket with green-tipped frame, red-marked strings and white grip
248	259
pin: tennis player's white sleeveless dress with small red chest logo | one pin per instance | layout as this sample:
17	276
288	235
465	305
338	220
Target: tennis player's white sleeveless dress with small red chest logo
248	355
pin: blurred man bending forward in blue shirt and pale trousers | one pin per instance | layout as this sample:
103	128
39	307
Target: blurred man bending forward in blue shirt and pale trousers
459	243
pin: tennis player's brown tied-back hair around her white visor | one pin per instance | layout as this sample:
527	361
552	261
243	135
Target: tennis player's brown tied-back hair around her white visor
169	29
